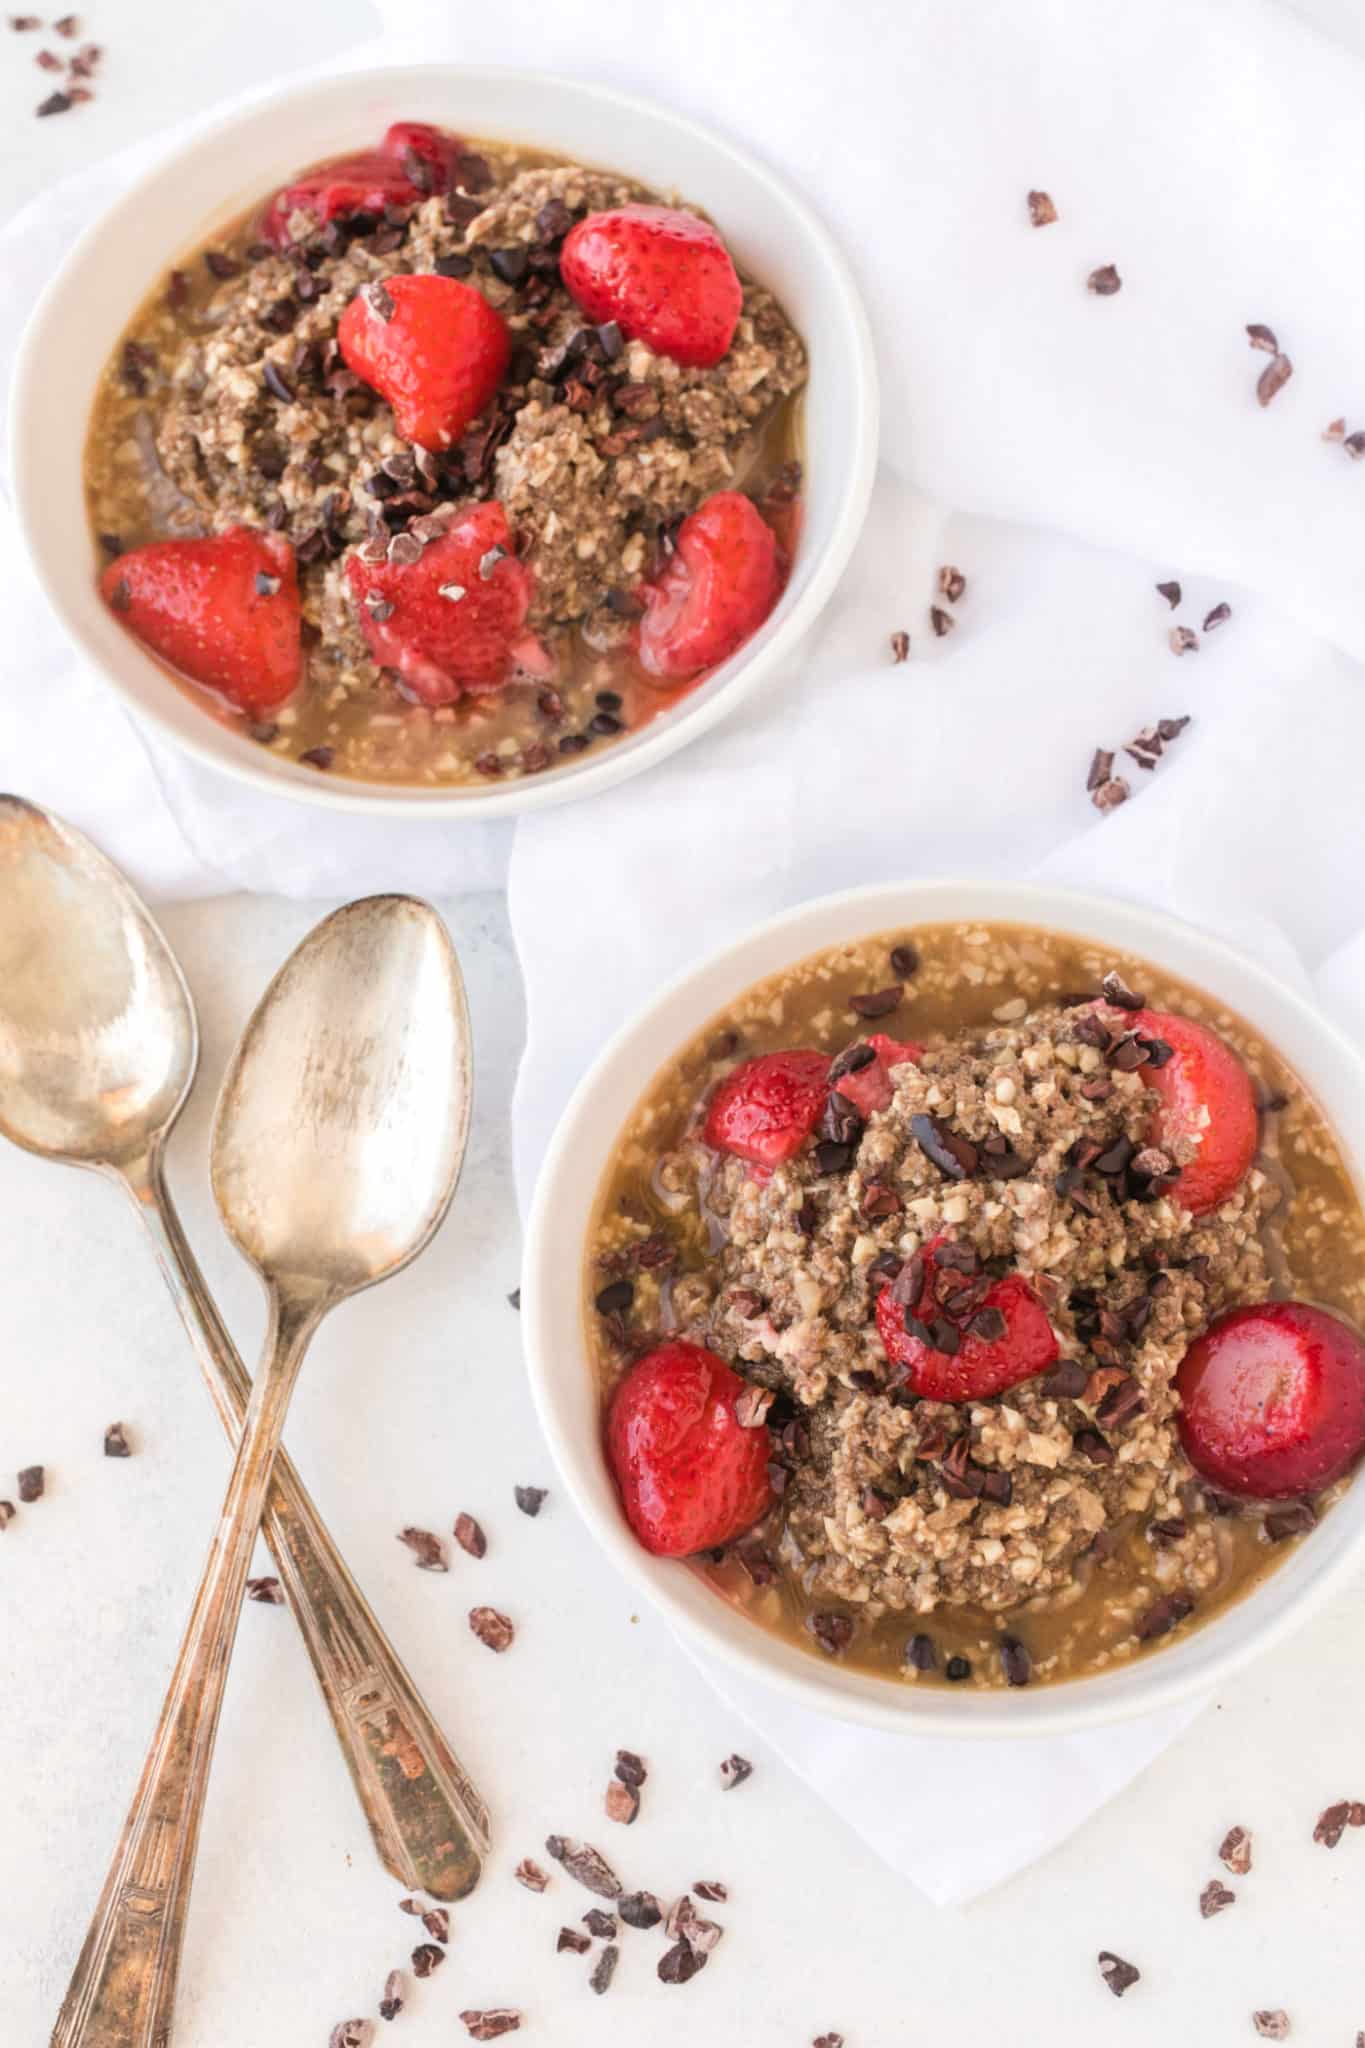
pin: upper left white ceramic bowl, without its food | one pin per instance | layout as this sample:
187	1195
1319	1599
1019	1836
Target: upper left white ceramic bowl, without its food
240	161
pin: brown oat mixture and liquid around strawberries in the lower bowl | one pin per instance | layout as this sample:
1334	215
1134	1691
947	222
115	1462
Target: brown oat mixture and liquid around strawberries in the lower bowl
1057	1527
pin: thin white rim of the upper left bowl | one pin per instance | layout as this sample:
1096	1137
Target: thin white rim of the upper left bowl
668	732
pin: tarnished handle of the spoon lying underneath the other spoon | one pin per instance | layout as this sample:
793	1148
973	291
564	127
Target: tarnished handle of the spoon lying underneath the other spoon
429	1822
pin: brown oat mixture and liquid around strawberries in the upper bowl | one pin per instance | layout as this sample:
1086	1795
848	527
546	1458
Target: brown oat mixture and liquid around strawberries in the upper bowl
228	402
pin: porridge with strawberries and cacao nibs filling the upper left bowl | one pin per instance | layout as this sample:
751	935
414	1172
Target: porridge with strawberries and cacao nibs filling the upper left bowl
451	464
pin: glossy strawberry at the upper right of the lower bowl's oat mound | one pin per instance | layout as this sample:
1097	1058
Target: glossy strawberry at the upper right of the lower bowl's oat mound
1206	1097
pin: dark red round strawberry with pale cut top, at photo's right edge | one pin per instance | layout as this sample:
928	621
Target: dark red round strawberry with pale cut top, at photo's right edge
1274	1400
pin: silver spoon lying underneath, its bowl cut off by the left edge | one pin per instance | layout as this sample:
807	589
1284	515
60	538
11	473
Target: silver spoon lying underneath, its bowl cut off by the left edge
99	1050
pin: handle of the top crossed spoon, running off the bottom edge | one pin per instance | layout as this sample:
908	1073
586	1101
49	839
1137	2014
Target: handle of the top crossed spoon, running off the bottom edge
124	1986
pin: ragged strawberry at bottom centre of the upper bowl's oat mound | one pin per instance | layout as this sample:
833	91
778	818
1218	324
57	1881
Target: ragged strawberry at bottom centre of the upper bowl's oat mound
455	620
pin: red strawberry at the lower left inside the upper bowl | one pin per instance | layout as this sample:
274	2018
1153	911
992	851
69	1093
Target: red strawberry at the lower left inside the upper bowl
224	611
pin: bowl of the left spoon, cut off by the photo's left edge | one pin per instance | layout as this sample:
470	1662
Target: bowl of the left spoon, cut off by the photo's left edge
99	1041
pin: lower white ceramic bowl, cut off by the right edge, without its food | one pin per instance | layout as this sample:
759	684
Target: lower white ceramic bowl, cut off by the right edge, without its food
568	1400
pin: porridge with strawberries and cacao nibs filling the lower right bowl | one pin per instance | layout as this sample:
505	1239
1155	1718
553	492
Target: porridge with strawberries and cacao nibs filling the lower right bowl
977	1308
